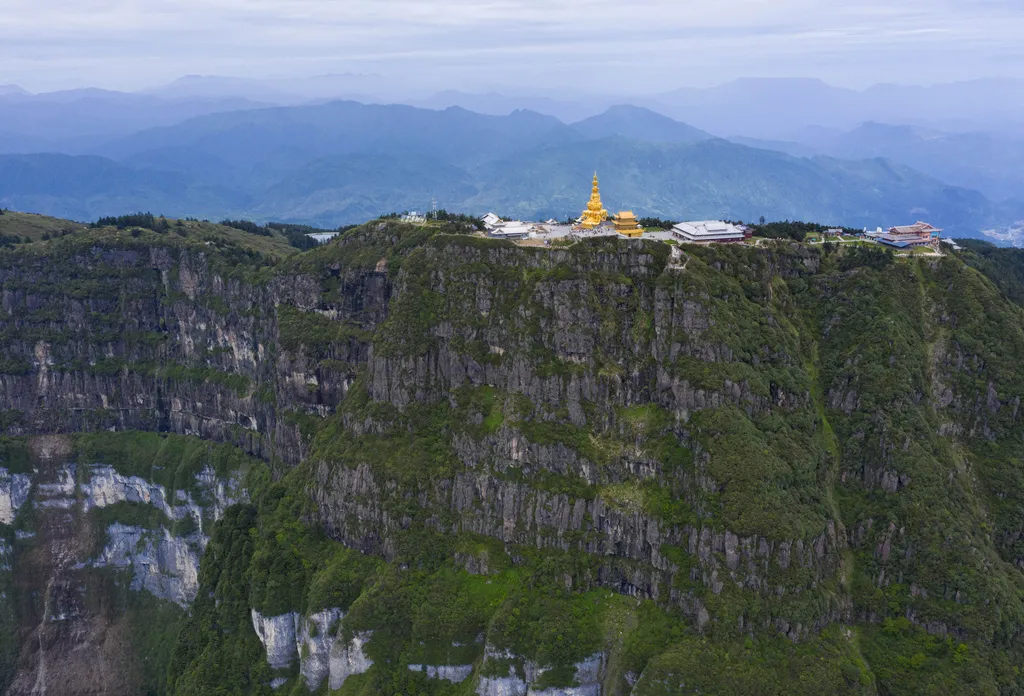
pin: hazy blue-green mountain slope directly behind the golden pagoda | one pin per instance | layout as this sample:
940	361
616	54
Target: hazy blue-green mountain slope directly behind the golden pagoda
716	179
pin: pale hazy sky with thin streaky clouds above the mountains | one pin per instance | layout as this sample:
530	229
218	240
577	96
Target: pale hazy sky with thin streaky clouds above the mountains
626	47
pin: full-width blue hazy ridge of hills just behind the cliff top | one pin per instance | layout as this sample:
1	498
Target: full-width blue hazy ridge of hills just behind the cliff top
345	162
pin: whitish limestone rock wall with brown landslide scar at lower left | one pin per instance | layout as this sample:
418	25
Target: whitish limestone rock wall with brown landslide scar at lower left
64	549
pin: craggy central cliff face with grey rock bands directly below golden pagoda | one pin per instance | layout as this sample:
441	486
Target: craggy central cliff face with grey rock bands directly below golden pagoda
566	393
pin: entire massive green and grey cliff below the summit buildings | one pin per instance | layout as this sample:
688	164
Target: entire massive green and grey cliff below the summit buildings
607	469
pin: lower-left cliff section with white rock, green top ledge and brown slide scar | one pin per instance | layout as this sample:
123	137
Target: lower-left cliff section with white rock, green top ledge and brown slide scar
82	528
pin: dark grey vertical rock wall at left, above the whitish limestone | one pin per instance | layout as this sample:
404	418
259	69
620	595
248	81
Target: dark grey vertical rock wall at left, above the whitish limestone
153	339
